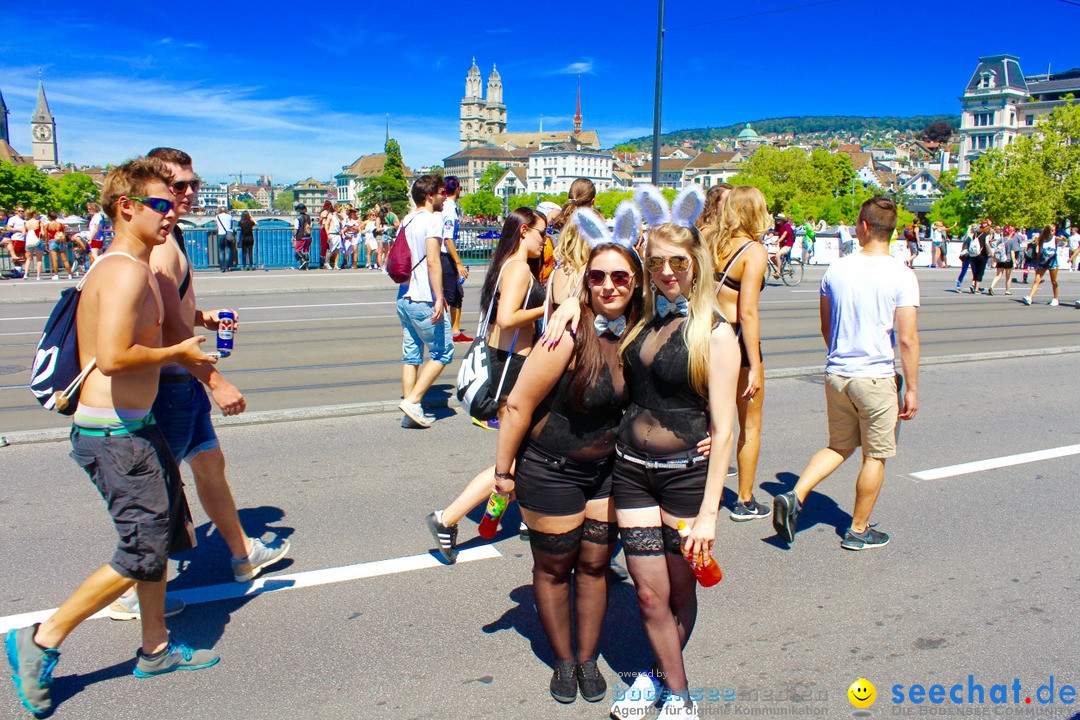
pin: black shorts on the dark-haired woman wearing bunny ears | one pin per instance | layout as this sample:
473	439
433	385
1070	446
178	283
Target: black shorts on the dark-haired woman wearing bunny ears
551	485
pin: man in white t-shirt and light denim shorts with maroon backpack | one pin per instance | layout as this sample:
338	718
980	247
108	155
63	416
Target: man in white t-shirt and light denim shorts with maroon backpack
422	307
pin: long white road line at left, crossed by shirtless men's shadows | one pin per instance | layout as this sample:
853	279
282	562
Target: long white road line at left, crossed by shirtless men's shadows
287	582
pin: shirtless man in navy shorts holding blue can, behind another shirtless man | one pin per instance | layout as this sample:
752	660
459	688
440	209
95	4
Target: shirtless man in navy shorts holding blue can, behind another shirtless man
182	406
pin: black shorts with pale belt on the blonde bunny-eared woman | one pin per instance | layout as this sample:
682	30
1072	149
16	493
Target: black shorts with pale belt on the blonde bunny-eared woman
678	492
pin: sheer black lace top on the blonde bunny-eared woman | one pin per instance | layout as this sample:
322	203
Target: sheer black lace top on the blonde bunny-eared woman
666	414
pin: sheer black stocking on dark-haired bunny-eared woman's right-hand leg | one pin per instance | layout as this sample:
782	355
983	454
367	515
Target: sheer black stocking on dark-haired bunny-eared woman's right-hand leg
591	580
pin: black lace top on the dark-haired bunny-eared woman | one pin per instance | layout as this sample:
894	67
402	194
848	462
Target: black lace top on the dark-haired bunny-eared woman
563	430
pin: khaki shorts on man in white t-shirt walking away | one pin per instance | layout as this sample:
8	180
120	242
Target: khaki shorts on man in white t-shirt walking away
862	412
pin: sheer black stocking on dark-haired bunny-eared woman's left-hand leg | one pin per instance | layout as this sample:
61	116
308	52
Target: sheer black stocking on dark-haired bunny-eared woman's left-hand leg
555	556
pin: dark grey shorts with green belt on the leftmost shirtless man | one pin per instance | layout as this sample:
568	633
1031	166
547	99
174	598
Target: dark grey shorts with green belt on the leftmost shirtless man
141	485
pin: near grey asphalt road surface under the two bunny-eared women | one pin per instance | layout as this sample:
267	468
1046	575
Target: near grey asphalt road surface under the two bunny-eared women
981	578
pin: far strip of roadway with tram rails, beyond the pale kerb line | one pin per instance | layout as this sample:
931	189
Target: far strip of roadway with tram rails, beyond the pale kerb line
326	338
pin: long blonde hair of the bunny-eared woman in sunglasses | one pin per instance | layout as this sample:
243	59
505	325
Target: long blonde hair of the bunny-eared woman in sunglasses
703	309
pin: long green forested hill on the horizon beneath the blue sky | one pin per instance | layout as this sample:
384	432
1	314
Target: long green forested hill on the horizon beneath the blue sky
838	125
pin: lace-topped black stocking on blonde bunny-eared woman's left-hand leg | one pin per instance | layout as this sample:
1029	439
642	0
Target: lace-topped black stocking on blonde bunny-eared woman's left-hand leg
649	567
